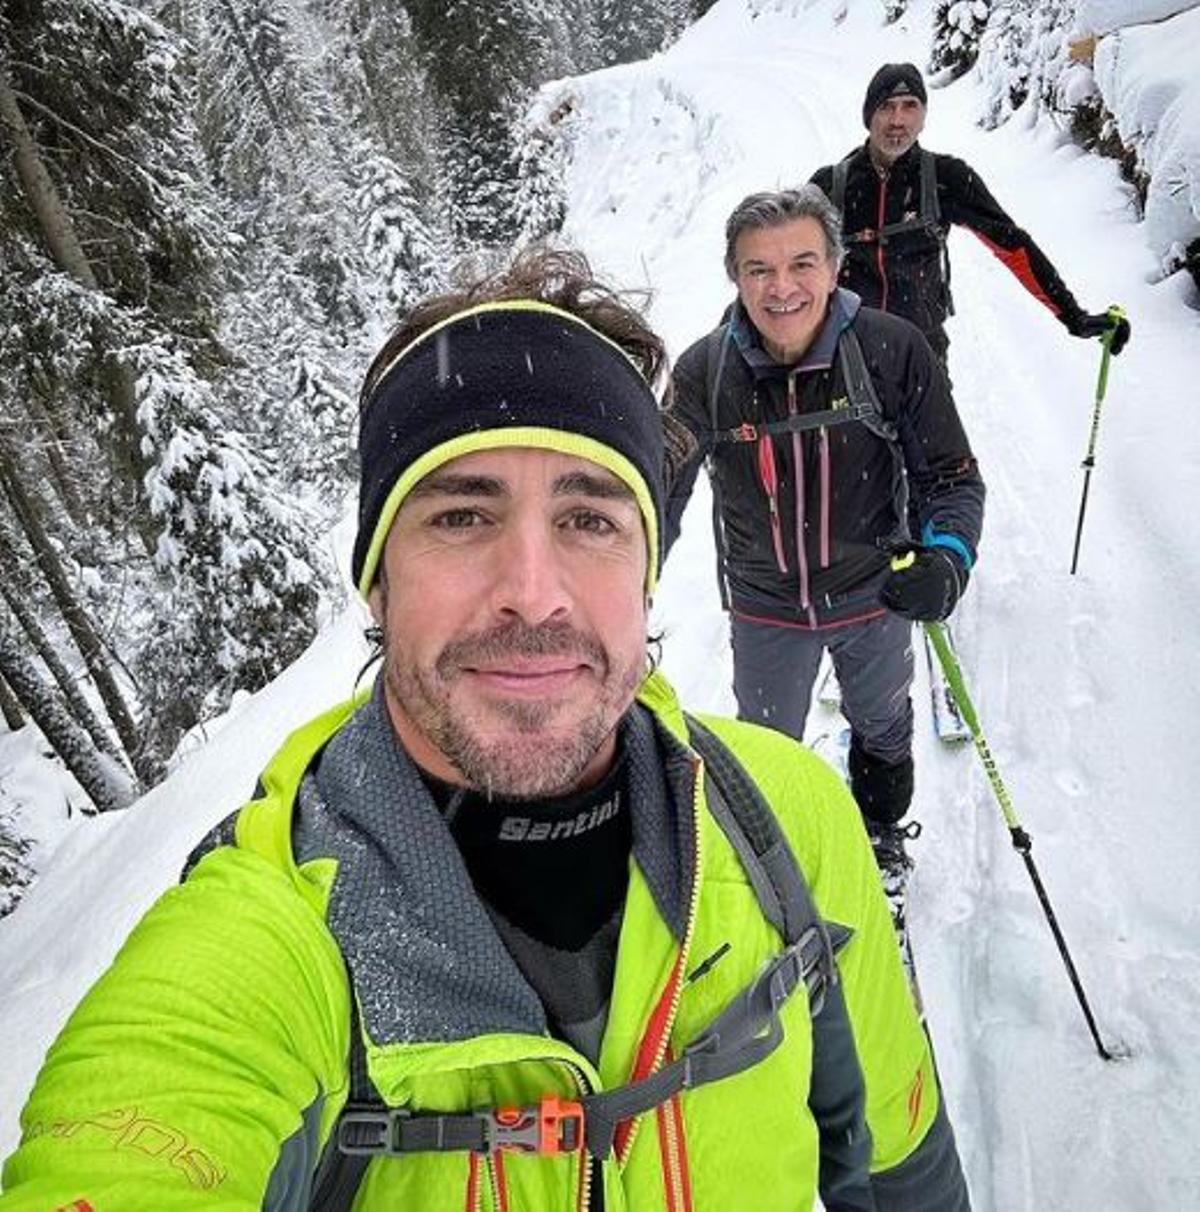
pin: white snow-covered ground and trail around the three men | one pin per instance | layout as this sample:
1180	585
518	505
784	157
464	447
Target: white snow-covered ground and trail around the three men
1089	687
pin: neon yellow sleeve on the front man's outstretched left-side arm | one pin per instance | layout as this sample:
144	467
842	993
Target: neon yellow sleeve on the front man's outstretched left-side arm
218	1078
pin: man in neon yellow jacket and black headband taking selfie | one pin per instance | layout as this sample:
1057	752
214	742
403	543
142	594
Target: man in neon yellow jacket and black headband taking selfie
512	931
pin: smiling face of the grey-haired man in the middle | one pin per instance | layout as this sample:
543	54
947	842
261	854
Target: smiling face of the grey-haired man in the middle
785	279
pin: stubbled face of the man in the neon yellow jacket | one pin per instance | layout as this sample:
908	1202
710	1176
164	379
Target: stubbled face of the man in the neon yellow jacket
513	604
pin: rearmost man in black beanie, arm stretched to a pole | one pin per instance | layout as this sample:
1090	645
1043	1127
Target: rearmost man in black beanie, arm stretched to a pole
899	202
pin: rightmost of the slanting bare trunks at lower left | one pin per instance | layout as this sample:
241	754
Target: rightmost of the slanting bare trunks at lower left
76	618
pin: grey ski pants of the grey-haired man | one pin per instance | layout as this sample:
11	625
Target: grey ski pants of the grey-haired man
775	668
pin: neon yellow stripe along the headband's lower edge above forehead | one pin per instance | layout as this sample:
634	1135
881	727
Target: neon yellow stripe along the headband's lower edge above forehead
530	437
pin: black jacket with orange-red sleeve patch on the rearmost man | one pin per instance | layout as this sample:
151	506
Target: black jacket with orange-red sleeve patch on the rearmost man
905	276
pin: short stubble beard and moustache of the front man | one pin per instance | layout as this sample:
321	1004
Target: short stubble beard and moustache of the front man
532	764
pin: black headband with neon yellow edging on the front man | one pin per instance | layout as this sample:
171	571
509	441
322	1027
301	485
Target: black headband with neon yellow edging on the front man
517	373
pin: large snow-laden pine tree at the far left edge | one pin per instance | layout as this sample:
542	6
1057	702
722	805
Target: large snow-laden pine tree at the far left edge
106	100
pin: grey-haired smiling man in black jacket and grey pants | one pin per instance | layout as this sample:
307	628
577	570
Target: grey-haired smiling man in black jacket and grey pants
833	442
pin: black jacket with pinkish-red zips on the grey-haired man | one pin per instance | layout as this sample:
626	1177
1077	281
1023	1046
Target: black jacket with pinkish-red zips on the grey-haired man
814	552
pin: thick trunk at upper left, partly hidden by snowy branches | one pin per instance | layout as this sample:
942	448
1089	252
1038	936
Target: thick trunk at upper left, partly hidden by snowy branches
59	232
